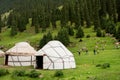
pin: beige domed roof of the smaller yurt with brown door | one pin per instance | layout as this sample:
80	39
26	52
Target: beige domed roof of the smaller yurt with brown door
21	48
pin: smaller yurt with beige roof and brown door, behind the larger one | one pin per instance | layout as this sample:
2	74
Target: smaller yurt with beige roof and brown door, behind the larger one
22	54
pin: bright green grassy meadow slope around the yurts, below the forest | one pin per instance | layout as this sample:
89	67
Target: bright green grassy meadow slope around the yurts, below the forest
85	63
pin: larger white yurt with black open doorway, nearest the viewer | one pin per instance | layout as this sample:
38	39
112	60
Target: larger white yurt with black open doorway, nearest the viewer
54	55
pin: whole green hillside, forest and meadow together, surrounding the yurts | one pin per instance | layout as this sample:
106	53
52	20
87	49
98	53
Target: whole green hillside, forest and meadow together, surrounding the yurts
91	27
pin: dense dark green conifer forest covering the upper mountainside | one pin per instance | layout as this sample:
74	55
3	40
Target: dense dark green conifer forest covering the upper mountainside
102	14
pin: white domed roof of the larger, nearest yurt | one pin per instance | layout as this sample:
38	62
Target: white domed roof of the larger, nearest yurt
54	49
